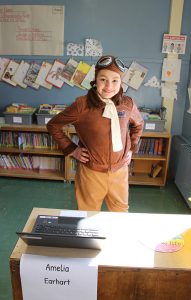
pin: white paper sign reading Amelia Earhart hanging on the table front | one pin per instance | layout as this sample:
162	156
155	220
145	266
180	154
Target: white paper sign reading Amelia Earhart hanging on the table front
47	278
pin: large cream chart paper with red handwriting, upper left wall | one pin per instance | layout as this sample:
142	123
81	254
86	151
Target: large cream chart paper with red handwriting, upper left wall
31	30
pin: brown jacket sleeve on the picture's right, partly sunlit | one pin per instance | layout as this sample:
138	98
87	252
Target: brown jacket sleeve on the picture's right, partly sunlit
136	127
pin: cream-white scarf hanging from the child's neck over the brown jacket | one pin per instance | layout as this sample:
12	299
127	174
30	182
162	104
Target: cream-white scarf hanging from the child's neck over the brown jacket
110	112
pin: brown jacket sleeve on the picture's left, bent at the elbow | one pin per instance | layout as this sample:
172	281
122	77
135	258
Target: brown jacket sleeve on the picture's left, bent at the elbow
56	128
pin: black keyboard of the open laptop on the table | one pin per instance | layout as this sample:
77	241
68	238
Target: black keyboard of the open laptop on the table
59	230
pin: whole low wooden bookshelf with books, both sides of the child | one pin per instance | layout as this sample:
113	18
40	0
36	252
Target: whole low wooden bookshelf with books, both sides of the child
55	166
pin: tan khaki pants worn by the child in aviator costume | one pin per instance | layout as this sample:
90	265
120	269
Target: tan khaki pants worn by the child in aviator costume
93	187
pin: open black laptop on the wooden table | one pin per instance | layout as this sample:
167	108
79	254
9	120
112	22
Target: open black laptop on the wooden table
61	231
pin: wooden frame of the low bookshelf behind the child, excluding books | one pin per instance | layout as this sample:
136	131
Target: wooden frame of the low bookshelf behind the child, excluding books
141	169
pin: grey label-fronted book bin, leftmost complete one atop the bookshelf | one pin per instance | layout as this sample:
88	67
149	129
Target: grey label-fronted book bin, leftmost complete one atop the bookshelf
19	118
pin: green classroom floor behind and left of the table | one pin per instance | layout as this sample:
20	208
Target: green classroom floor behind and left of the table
19	196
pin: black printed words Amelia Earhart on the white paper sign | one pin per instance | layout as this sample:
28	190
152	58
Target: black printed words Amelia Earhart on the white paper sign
56	281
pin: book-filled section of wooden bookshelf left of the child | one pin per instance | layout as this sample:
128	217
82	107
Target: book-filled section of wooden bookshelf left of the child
28	151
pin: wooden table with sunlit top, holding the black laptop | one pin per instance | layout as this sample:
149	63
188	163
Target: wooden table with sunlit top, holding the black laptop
129	268
